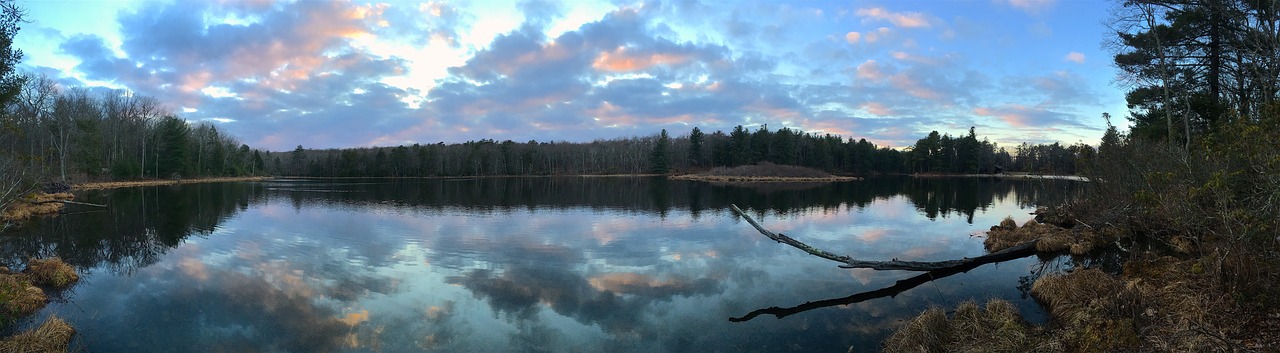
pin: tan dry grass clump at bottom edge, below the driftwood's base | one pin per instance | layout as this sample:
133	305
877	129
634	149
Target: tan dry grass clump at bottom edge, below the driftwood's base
998	328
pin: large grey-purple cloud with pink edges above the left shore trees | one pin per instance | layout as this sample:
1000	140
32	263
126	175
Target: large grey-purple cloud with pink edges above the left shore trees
289	77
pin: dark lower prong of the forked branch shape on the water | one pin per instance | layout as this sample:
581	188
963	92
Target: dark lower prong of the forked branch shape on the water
893	291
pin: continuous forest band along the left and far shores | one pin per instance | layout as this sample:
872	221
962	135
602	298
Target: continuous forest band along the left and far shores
57	134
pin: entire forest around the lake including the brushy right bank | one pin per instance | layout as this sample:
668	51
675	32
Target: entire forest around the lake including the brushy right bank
1195	178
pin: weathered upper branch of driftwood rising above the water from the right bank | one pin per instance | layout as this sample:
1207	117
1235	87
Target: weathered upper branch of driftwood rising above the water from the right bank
849	263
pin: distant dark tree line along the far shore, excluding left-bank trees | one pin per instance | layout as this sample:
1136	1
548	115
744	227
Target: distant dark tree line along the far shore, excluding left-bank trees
662	154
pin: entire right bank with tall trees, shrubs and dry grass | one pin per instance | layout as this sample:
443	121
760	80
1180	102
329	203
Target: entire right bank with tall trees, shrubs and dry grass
1190	198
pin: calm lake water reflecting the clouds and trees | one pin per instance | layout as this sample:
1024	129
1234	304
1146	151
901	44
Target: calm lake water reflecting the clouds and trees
515	264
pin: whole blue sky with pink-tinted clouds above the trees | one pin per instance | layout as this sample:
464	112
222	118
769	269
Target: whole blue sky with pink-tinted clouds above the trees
333	75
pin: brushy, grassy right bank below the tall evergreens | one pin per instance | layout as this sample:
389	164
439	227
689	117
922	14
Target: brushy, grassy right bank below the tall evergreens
1201	258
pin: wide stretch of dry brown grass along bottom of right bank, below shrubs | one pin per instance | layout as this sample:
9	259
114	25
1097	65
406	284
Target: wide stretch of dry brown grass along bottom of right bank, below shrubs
1159	305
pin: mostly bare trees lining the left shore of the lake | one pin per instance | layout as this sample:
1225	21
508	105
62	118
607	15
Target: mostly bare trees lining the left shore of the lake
83	135
